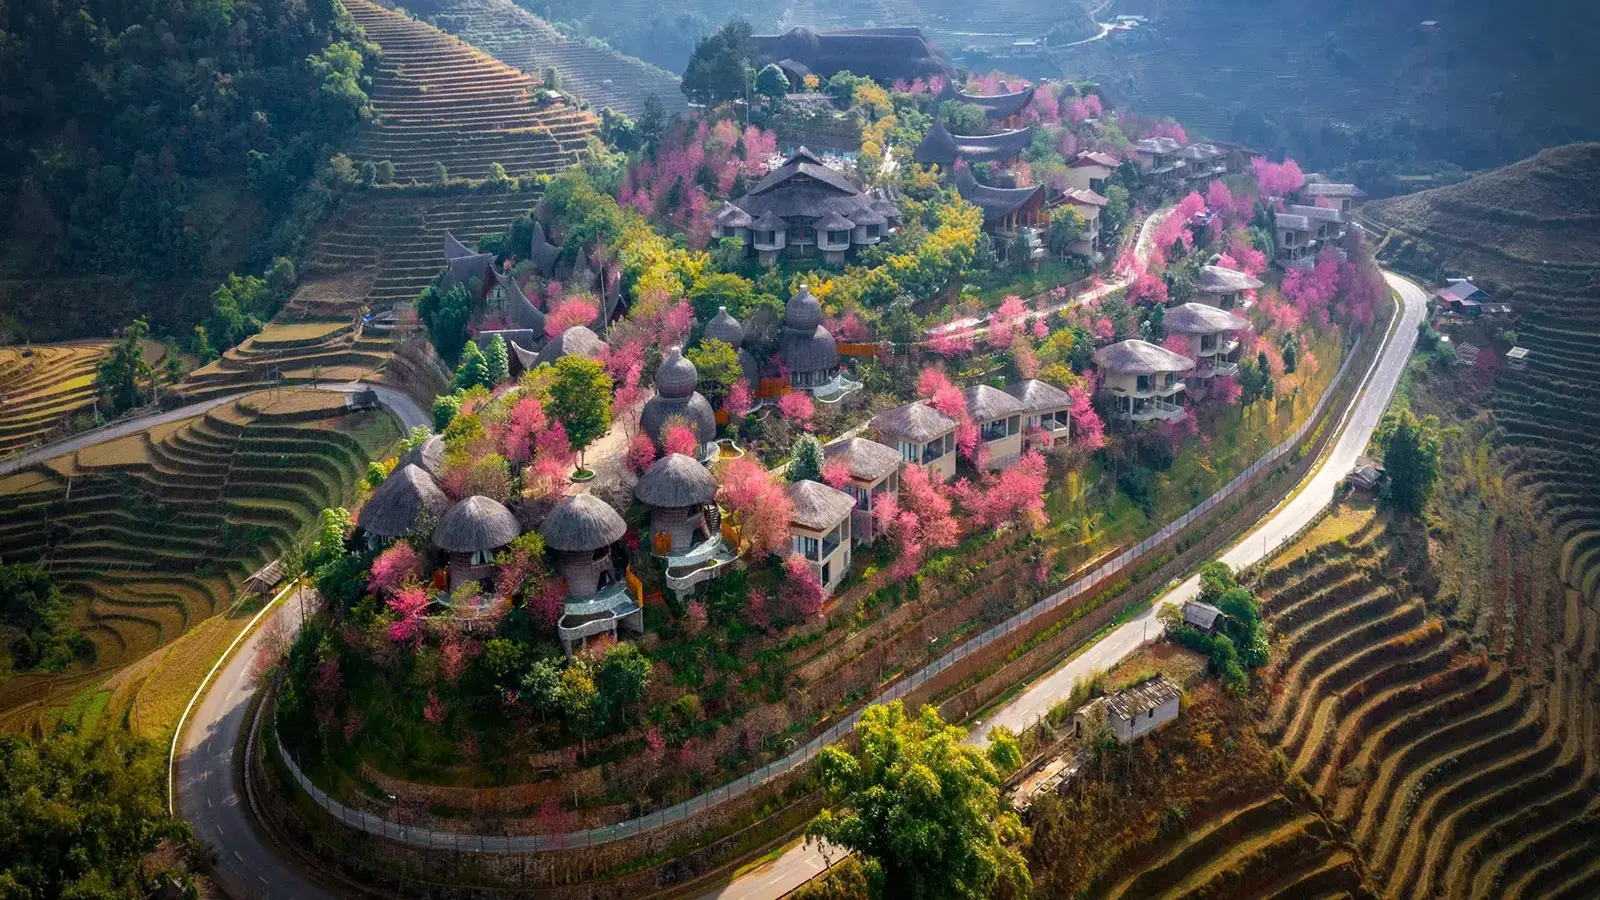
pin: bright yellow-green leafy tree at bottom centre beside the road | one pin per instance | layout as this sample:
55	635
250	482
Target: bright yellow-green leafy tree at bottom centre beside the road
922	810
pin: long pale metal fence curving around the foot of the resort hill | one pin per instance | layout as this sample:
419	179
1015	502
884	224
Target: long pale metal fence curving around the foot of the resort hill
740	787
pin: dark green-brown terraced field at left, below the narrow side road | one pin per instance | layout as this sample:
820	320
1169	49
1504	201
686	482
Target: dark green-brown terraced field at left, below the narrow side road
156	532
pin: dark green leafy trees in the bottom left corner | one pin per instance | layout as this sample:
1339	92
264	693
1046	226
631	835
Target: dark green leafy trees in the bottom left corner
79	814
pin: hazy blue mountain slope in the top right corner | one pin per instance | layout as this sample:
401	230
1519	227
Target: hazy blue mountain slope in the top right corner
1362	86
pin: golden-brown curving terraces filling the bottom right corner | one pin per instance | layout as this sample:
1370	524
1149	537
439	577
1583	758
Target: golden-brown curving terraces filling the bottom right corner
1436	769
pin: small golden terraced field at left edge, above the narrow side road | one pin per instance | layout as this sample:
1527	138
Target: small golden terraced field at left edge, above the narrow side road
42	388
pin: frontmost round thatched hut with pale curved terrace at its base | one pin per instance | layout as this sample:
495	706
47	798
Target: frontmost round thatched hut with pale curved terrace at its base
580	534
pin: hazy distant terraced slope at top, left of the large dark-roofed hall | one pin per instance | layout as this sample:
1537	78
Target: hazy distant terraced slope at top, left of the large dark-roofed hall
522	41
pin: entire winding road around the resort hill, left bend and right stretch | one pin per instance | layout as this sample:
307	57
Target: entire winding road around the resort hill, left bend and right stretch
249	867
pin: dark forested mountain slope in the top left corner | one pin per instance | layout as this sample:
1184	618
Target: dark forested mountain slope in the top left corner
158	143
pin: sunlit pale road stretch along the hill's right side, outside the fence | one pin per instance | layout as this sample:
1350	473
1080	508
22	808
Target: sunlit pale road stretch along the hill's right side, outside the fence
801	864
